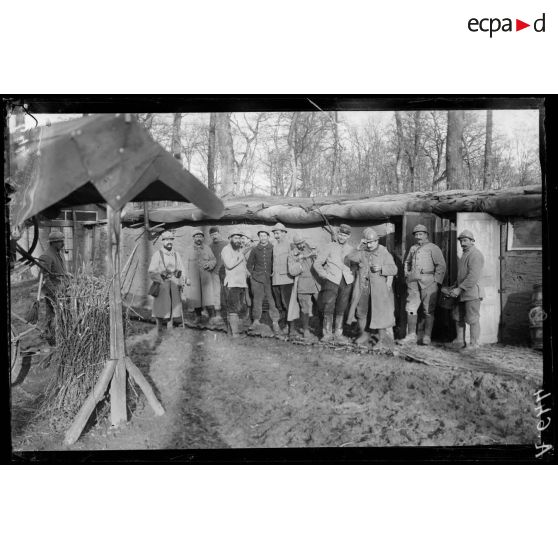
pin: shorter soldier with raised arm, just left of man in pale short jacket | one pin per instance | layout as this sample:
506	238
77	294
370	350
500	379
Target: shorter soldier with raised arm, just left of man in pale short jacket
301	266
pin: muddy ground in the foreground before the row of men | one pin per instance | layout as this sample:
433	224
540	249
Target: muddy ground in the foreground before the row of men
266	392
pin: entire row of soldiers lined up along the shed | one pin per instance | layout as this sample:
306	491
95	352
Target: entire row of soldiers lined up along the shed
350	284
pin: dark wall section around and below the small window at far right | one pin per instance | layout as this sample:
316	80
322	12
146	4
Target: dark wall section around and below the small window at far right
520	270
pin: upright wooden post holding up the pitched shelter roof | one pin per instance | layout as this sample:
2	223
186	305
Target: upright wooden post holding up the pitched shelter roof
117	347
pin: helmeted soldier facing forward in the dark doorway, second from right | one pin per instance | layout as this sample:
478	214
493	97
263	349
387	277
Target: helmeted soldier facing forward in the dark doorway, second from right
425	268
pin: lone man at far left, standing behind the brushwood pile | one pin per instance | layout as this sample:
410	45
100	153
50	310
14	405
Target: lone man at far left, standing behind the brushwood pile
54	270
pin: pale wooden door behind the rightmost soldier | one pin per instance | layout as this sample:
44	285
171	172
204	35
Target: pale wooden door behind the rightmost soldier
486	230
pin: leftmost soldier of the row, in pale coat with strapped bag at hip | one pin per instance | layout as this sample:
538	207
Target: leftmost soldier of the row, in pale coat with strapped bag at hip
167	269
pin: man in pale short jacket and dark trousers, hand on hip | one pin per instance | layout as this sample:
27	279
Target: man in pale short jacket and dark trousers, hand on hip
337	283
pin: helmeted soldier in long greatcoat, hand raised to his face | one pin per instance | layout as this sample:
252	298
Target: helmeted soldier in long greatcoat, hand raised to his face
372	300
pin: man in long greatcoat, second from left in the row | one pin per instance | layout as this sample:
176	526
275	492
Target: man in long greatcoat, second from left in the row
200	262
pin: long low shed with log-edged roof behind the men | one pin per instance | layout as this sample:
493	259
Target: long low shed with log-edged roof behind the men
507	225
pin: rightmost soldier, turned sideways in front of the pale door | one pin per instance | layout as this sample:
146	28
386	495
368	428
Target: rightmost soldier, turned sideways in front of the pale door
468	291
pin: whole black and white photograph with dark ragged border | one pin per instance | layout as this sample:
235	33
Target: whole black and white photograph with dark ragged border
360	274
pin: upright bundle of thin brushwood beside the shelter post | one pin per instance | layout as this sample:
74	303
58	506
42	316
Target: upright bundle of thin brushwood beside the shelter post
82	345
